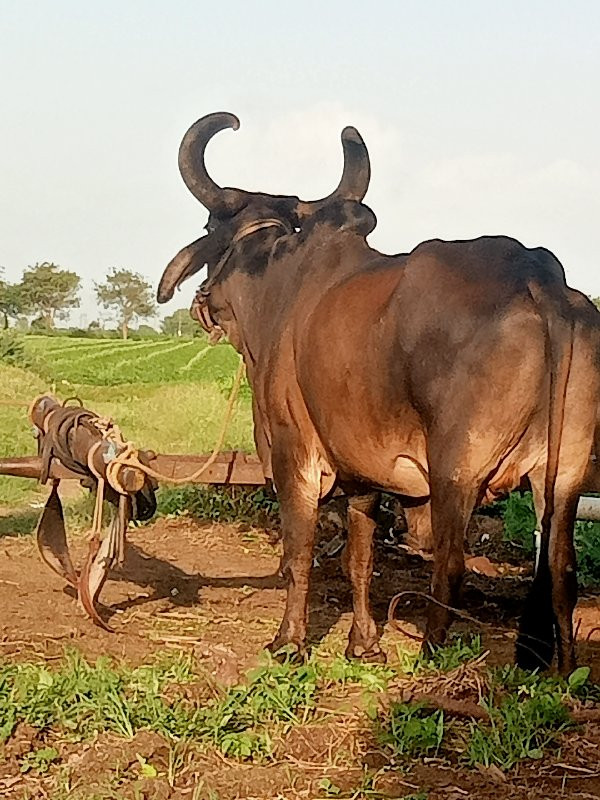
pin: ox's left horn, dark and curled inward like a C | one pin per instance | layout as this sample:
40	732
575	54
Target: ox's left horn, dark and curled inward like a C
192	166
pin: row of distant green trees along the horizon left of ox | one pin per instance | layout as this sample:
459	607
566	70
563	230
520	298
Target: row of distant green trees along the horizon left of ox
47	293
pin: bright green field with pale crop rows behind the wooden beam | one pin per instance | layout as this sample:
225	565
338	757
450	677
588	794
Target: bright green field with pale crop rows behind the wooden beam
167	395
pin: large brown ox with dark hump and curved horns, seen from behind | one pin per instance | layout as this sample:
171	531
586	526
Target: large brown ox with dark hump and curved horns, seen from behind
448	373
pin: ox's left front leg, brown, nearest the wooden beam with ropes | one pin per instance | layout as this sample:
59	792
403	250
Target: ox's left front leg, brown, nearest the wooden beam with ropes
298	497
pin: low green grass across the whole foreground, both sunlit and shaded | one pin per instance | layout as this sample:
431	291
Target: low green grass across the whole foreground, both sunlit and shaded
77	700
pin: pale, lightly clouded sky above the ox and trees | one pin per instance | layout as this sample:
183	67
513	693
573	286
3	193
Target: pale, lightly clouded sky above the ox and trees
480	117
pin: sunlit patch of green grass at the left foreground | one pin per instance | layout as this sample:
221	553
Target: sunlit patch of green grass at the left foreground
78	700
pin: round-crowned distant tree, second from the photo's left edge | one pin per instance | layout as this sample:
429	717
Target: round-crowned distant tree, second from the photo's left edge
49	291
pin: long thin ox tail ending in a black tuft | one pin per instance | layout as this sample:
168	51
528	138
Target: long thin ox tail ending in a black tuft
537	633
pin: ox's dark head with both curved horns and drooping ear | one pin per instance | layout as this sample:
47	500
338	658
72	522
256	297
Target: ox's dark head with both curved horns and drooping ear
235	214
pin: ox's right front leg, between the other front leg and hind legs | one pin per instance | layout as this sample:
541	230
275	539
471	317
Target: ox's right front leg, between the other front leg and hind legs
358	557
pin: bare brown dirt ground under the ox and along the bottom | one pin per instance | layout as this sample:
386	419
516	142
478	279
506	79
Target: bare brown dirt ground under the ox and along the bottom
214	590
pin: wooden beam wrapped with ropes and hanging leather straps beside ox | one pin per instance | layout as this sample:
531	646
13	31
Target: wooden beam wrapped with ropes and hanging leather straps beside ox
77	444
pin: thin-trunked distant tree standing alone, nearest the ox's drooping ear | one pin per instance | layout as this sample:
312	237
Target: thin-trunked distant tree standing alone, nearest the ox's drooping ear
128	294
